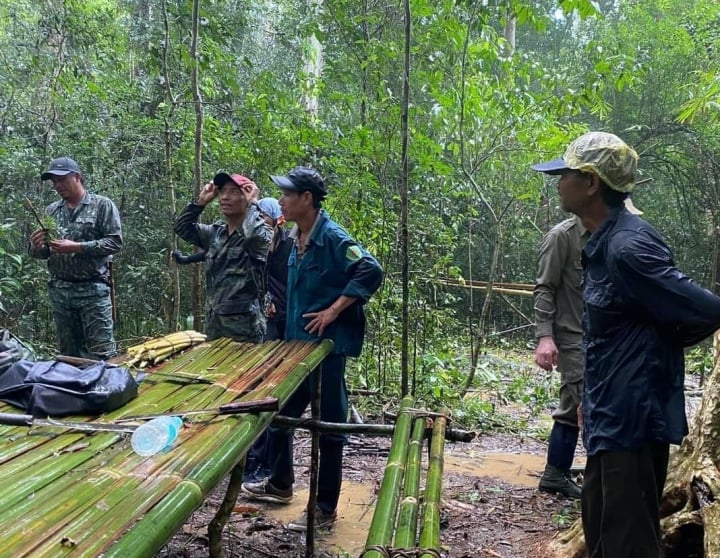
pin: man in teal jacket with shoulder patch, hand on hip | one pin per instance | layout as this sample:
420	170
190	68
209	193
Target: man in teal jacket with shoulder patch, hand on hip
330	278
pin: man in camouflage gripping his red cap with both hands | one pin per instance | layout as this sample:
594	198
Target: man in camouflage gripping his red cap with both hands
236	252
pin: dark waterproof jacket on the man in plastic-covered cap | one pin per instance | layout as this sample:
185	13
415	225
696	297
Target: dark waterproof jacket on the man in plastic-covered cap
640	311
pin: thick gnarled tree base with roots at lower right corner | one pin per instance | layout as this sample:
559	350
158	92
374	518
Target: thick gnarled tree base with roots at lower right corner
690	506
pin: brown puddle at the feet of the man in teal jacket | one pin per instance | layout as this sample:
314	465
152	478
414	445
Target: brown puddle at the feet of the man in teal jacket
355	509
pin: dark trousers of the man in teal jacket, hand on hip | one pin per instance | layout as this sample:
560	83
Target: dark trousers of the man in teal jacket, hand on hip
333	408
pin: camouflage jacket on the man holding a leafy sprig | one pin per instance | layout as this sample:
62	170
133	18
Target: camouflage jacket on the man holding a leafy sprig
95	224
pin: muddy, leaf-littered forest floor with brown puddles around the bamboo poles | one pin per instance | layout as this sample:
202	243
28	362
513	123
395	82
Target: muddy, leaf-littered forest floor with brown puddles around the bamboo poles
491	507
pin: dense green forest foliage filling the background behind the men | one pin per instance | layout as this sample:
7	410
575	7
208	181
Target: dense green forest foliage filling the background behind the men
152	98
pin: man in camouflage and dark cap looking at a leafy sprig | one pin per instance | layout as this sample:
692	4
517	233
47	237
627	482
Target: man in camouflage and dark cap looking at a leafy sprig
79	251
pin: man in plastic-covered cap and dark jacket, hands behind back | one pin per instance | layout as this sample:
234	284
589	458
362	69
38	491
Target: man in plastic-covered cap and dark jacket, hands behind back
639	313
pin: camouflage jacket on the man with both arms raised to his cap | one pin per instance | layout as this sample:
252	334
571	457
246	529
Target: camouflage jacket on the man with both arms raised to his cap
234	262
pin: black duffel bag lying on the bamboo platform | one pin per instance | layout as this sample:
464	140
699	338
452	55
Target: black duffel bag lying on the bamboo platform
52	388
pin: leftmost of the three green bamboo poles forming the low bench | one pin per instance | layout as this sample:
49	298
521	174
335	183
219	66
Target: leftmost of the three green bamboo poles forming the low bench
383	522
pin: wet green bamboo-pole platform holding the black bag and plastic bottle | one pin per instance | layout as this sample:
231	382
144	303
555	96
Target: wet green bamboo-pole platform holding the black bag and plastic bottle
71	493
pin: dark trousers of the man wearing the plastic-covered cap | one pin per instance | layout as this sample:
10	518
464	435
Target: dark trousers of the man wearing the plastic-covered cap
620	502
